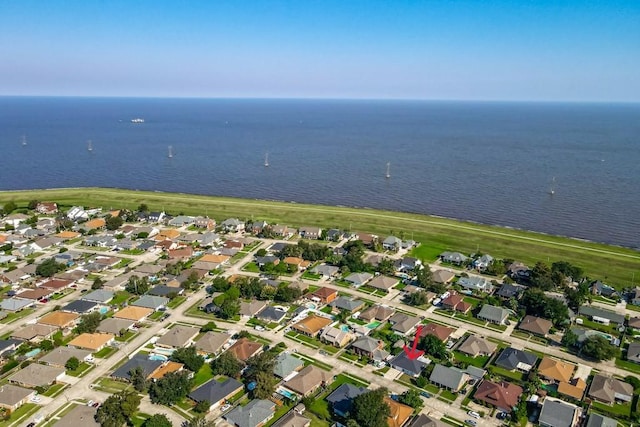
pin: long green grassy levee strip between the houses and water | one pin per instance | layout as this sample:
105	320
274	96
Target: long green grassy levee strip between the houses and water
610	263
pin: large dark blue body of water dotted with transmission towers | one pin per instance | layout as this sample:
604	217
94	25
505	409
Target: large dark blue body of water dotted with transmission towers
487	162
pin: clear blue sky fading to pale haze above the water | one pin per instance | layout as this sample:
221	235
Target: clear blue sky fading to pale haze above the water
558	50
